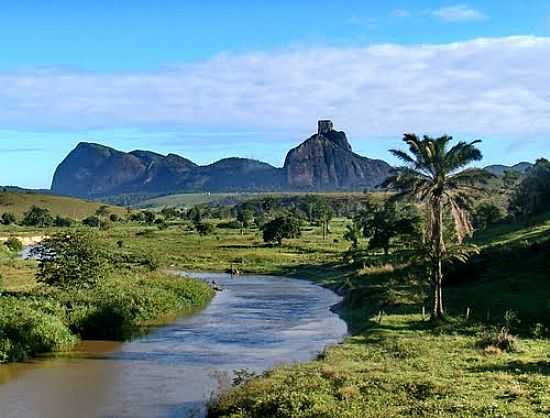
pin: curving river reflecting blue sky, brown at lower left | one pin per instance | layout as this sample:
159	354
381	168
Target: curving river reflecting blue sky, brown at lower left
256	323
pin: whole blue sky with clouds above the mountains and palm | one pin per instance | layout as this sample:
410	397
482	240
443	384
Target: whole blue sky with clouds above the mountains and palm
211	79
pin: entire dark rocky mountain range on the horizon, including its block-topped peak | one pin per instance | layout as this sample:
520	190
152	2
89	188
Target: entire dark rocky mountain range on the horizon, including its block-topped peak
324	162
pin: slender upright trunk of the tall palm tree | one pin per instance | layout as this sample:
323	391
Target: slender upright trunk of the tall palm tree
437	268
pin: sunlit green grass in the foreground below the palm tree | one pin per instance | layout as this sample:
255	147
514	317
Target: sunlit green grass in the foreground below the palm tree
402	367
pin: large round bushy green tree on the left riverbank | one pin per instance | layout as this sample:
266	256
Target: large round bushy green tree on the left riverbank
75	260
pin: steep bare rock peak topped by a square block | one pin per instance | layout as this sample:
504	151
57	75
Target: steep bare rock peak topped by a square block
326	162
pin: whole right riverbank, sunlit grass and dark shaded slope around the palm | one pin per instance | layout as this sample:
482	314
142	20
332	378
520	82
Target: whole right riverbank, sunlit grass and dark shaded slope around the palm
397	363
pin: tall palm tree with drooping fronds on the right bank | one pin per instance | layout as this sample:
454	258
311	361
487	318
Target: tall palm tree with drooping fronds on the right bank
434	174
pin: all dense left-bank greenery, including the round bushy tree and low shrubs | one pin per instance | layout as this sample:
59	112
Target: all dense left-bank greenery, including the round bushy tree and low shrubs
82	288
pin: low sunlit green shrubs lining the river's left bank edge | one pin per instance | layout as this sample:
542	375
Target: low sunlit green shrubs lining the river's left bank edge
48	319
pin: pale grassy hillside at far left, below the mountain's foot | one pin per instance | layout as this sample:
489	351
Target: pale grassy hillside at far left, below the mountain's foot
19	202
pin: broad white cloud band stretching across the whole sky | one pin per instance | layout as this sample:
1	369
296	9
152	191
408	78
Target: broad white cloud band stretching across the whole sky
481	87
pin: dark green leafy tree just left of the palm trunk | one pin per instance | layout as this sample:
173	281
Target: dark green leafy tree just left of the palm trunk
384	224
